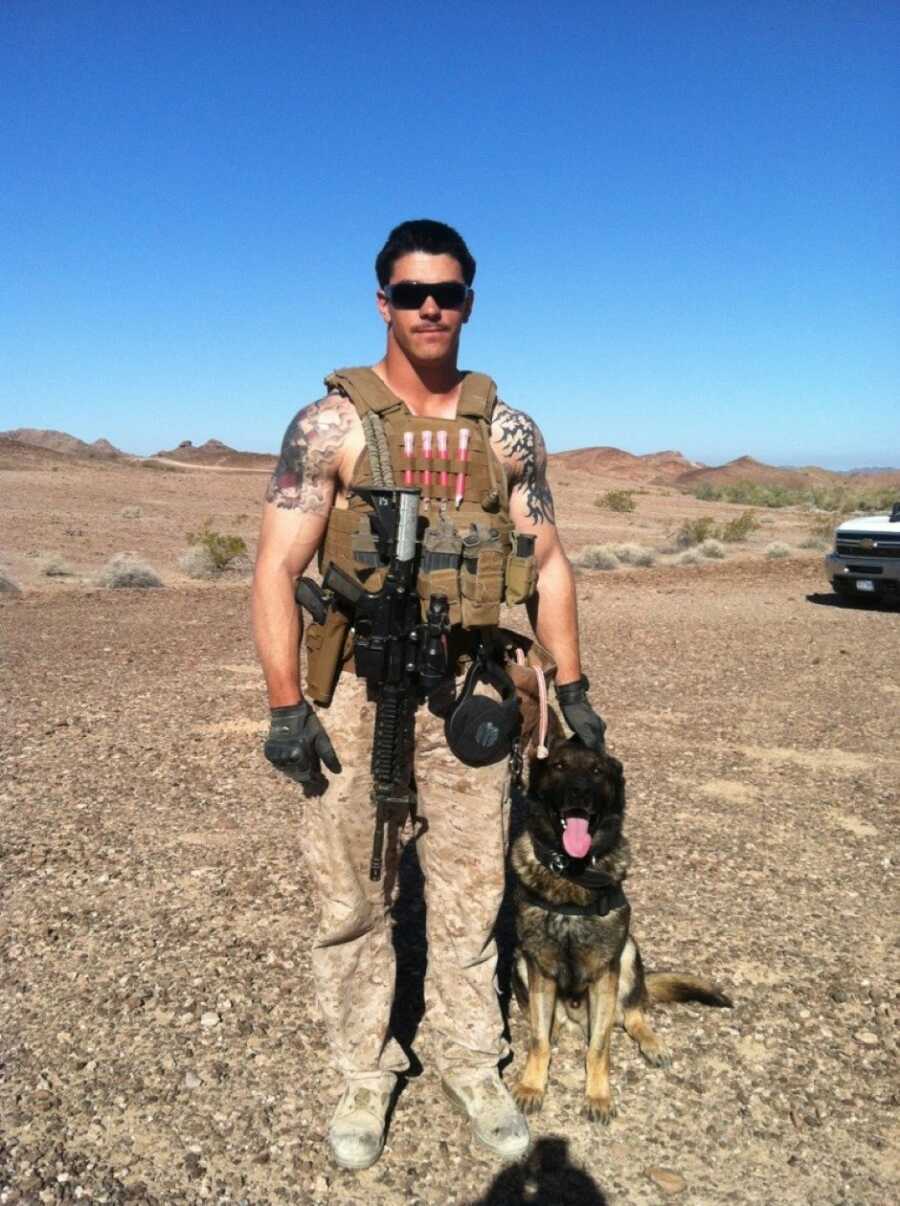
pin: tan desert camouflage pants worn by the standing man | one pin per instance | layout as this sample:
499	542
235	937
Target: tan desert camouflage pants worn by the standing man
463	824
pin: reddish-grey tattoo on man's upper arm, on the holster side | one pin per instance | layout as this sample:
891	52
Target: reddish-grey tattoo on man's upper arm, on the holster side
309	455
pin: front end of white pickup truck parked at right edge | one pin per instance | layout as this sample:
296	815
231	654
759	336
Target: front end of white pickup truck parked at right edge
866	561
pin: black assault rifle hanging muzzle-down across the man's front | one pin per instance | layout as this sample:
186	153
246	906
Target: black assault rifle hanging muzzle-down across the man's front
402	659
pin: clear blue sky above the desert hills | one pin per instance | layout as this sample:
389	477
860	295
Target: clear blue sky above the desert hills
685	214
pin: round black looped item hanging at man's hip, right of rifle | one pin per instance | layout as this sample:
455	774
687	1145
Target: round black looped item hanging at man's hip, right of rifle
481	730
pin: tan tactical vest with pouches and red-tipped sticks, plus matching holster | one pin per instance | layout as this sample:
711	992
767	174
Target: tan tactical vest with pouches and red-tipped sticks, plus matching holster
467	551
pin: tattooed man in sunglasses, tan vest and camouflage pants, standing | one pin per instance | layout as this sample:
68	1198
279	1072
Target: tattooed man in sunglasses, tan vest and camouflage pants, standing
489	538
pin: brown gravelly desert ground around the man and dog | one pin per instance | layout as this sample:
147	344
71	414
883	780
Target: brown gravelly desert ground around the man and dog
160	1044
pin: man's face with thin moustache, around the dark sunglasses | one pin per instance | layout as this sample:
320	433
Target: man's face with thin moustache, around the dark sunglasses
428	335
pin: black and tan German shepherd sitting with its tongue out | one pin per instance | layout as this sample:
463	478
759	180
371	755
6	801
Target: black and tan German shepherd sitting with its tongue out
577	958
